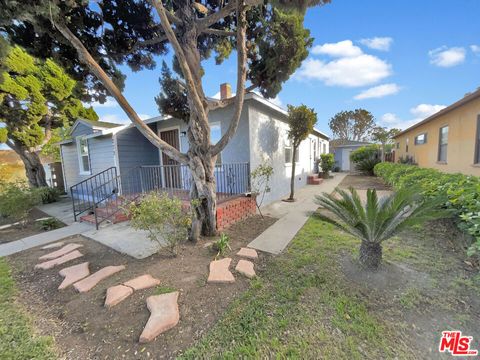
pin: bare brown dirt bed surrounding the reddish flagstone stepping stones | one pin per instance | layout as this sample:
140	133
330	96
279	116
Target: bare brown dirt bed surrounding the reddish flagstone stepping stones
84	329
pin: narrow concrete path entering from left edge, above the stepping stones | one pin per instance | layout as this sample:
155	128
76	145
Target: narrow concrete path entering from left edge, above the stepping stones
43	238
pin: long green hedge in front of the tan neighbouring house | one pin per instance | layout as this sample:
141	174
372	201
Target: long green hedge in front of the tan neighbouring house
461	191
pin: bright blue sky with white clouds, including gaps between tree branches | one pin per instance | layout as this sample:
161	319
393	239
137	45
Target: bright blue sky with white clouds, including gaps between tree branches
401	60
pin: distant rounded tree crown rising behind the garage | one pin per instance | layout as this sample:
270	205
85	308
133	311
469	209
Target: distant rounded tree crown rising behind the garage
356	125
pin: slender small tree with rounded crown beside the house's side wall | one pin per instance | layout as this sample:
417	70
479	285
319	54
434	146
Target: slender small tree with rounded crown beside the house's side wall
301	120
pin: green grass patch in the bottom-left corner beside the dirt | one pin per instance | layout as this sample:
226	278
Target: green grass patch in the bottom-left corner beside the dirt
17	338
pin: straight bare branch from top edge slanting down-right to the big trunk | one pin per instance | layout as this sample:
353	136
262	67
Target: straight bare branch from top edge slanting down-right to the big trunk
182	60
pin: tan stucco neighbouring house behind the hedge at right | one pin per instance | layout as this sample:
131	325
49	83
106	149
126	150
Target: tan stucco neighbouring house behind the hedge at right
448	140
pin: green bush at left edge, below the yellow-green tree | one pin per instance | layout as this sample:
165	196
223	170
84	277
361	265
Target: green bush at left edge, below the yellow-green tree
16	200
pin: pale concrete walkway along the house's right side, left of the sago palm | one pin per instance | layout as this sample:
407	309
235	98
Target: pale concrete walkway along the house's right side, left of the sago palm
292	216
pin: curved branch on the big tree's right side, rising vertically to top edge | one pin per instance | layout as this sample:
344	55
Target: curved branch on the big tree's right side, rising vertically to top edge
241	77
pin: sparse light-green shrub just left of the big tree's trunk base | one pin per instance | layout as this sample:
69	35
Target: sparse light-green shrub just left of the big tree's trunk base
163	218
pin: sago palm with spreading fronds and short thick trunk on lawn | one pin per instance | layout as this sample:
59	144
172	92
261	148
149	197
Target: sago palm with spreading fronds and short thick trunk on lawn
377	220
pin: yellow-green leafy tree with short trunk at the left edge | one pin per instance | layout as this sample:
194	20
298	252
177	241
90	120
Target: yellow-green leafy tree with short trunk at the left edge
36	99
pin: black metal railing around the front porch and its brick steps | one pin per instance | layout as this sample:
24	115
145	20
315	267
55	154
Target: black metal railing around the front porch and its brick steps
107	193
